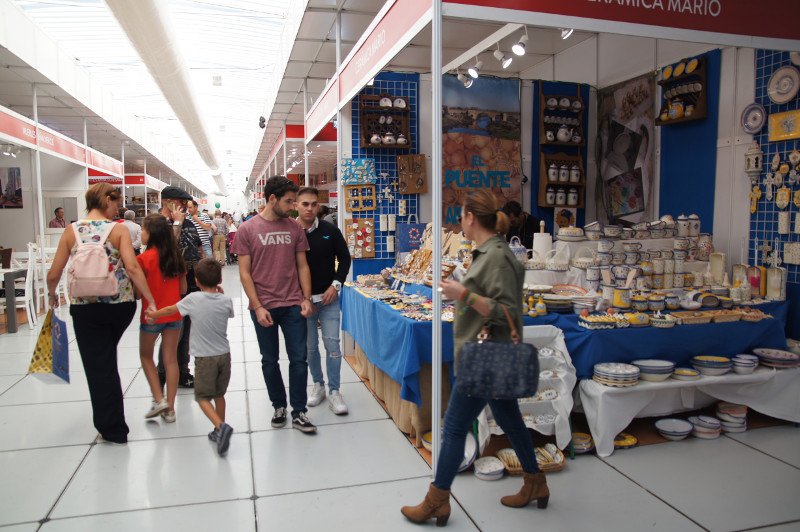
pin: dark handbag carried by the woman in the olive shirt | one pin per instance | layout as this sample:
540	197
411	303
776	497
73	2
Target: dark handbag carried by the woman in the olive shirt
498	370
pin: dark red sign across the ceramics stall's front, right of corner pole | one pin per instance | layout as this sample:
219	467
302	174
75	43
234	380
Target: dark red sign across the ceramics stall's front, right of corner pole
736	17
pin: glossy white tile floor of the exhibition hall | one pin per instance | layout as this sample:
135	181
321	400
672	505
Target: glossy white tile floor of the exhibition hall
353	475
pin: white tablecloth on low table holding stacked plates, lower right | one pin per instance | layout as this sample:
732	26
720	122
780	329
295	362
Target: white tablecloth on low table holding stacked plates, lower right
609	410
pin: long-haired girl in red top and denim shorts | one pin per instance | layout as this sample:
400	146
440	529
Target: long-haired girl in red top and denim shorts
166	276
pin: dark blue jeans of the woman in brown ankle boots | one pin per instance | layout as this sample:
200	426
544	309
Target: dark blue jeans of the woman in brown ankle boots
461	412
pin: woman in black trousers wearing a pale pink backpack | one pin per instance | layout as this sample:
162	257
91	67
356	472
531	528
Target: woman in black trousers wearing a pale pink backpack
101	305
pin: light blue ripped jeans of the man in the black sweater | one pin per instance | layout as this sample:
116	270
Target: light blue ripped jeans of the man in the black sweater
328	317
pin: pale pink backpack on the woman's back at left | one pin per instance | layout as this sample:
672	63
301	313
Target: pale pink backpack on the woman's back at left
90	273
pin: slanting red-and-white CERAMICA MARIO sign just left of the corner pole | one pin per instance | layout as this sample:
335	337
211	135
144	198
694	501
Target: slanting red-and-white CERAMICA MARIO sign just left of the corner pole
386	38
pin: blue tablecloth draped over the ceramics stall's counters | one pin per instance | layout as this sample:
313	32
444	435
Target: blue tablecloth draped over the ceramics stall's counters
399	346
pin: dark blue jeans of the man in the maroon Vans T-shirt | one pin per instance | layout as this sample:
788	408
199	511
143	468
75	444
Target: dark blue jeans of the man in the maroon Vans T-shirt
293	326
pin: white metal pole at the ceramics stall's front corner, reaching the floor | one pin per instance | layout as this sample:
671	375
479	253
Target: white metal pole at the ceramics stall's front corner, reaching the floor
436	218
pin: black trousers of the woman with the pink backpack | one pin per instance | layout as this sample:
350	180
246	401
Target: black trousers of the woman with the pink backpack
98	328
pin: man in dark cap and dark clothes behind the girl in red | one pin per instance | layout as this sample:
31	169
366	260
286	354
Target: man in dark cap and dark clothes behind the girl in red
174	204
